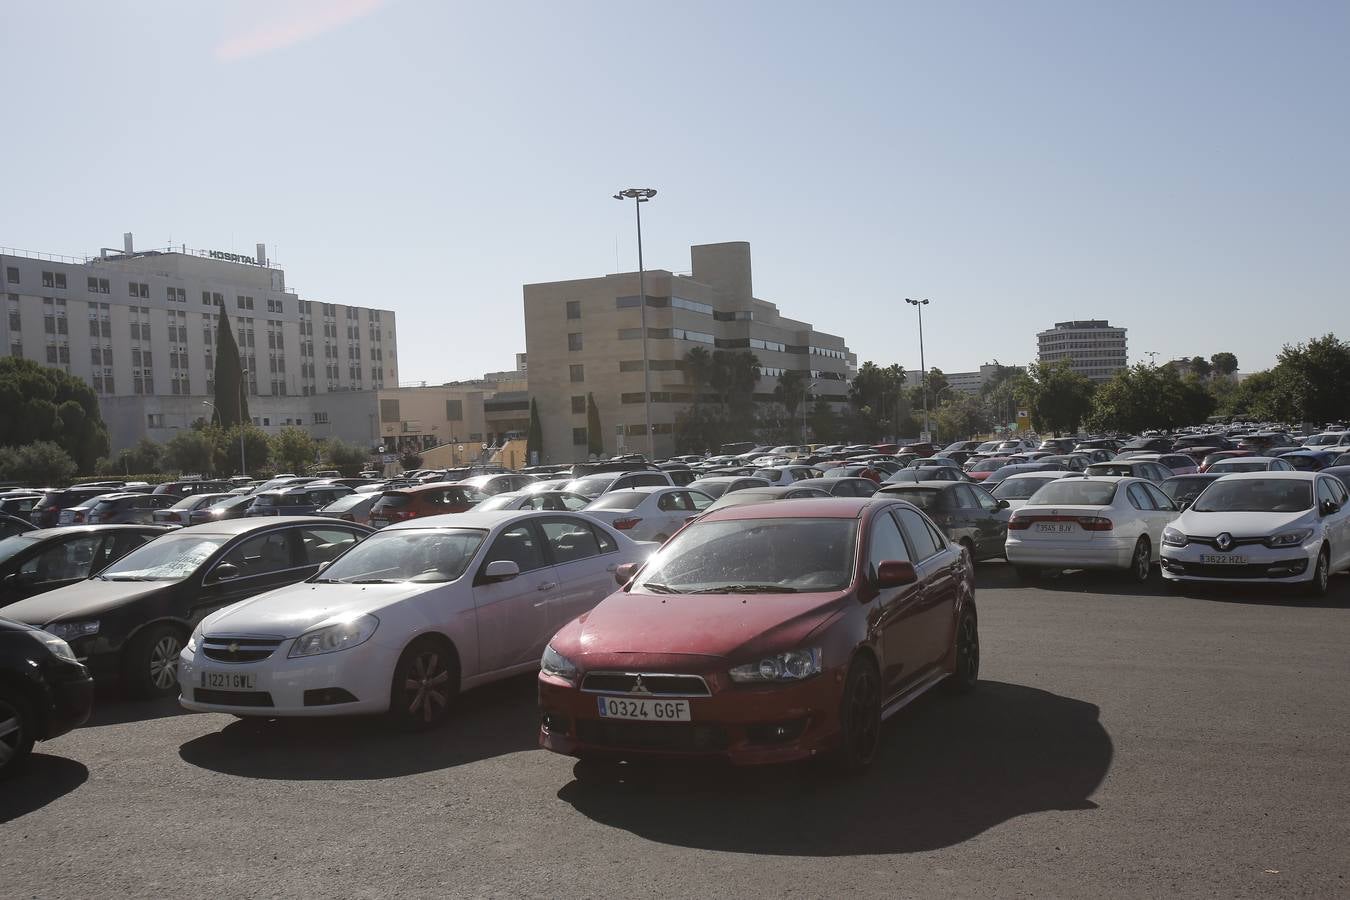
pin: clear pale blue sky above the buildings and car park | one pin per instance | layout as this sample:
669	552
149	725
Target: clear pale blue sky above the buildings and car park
1177	168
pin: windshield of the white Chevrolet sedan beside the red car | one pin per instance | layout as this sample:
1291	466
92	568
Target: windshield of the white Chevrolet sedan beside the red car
425	557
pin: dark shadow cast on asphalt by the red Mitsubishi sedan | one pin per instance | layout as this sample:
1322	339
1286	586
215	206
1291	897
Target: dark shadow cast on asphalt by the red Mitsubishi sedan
950	770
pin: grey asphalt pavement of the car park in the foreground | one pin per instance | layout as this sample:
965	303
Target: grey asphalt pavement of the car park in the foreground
1123	743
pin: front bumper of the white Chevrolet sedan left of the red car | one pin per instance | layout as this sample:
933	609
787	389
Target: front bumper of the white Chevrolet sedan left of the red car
349	682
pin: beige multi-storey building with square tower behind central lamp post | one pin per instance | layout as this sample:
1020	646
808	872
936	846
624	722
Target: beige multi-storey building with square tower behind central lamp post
585	337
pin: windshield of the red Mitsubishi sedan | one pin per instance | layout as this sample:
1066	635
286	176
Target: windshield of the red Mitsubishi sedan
755	557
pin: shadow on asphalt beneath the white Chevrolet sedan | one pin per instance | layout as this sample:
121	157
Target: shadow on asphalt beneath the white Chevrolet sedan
487	723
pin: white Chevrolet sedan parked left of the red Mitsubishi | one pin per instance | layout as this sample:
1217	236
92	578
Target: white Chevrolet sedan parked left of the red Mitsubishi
429	608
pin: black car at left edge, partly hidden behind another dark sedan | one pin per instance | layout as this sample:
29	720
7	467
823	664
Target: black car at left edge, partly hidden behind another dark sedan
48	559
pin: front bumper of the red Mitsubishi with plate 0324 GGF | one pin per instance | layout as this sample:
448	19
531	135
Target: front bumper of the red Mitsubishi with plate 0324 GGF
742	725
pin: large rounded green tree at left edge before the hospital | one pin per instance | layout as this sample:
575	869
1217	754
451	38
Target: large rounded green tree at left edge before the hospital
43	404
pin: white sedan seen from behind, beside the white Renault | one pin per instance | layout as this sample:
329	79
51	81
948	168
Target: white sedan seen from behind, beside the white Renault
1090	523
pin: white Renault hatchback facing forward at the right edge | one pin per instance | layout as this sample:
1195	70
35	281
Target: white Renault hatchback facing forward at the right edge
1268	528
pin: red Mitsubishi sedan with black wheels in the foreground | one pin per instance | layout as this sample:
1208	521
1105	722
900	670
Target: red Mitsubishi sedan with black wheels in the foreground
767	634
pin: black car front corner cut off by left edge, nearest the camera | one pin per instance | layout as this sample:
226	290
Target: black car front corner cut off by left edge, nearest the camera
44	692
